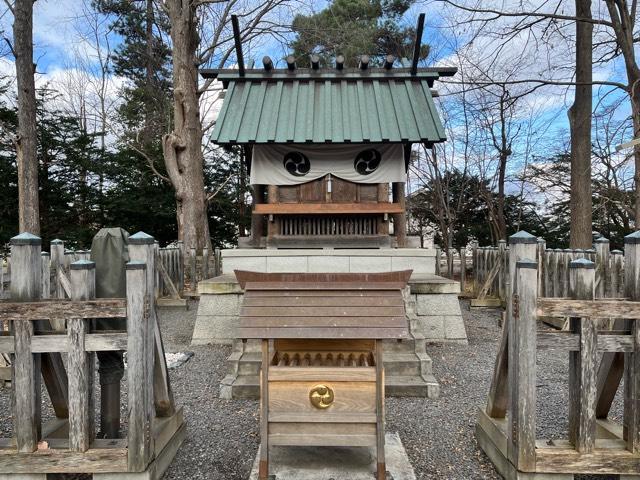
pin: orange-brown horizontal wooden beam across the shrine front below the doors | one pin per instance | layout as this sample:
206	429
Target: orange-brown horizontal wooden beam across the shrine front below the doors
326	208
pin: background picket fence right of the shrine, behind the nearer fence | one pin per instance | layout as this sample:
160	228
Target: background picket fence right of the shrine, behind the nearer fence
491	274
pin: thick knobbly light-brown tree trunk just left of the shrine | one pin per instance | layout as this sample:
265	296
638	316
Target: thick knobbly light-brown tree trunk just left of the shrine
182	147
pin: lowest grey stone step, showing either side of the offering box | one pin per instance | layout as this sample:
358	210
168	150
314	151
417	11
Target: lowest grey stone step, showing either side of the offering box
248	387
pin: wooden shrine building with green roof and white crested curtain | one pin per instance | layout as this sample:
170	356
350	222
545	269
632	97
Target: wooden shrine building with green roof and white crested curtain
328	148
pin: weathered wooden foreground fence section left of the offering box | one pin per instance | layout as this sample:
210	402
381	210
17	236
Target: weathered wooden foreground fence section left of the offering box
67	444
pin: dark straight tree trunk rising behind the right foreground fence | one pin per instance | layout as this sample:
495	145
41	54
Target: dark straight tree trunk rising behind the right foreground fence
580	125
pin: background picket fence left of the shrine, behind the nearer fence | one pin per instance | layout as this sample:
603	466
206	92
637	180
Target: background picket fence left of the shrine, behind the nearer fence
178	273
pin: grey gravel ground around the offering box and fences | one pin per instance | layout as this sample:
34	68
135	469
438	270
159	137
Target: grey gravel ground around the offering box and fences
223	437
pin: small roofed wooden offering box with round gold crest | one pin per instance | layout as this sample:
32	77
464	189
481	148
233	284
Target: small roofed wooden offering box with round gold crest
322	377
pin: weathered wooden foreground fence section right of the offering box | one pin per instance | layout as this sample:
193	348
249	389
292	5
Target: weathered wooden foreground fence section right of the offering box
598	360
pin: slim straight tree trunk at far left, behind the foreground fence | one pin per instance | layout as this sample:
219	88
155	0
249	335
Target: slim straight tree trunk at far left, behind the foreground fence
26	140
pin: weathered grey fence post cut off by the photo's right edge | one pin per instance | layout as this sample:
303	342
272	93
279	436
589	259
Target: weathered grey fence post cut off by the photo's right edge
632	359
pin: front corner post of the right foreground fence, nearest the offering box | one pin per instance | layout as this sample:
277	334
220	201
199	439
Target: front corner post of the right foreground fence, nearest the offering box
522	361
